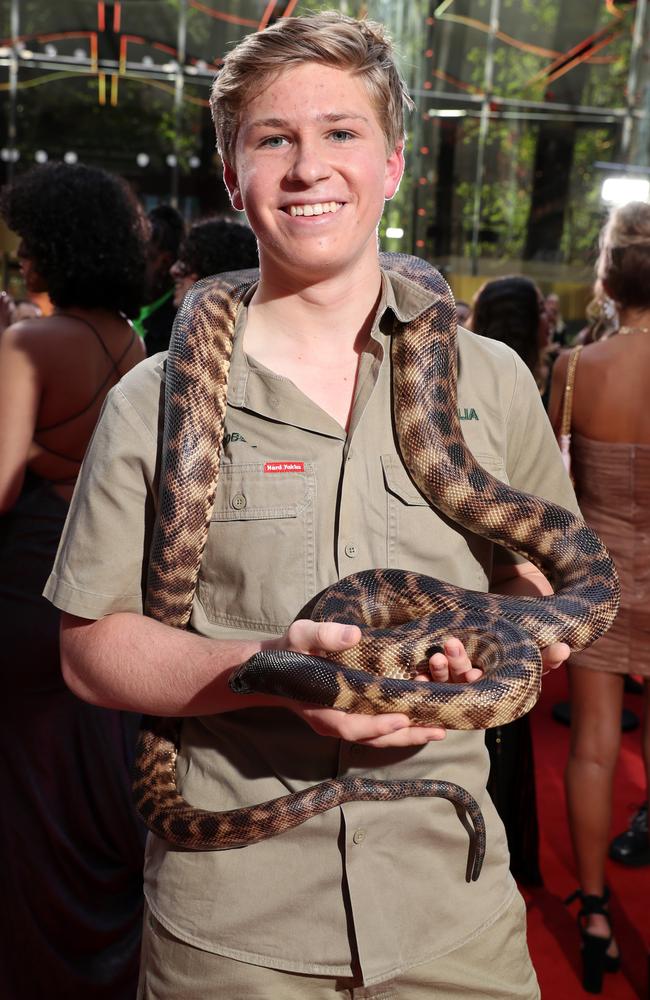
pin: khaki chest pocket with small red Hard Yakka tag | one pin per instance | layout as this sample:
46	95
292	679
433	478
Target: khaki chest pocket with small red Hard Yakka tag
258	567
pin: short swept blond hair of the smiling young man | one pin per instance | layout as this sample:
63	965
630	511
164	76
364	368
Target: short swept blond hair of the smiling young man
330	38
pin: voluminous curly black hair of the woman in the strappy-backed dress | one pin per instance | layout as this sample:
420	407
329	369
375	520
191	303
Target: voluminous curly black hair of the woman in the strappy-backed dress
86	233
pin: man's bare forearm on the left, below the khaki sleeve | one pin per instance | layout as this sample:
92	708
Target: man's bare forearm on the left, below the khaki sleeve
130	662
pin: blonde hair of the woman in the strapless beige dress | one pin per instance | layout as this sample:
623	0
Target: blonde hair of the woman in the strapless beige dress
624	261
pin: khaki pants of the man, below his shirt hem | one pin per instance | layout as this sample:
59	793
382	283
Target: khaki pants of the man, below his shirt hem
496	965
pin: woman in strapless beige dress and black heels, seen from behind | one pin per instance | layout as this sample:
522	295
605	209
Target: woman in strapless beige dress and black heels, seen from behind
610	451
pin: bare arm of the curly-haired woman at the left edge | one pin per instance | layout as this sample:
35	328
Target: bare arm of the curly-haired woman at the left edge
20	392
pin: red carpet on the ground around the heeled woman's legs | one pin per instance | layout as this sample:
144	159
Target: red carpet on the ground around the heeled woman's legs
552	931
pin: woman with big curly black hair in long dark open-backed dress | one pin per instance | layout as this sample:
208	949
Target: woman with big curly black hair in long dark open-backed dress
70	845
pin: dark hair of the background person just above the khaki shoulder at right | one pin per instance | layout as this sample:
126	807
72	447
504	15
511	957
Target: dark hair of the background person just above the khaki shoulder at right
508	309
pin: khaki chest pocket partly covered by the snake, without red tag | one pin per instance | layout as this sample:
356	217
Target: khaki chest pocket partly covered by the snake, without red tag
421	539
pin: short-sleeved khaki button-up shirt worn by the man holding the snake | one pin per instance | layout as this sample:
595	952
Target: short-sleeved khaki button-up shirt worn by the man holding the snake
299	504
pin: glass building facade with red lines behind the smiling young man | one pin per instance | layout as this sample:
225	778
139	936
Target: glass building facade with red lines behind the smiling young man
523	109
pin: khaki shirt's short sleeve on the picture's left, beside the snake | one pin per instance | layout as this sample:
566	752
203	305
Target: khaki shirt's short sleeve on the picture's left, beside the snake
100	567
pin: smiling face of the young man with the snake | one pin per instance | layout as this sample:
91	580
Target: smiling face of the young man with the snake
312	173
